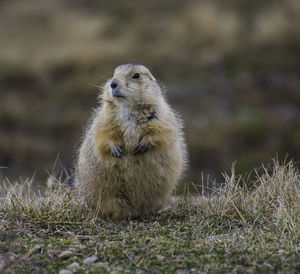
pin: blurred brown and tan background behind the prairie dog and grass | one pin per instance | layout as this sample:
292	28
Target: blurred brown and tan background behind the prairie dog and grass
231	69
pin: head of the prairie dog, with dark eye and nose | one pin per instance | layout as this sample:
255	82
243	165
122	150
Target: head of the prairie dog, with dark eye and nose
132	84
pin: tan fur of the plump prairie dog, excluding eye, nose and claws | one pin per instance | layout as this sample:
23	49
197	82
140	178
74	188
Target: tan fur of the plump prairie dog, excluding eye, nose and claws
132	185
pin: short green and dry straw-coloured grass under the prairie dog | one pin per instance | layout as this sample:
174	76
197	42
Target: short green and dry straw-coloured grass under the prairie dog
243	227
